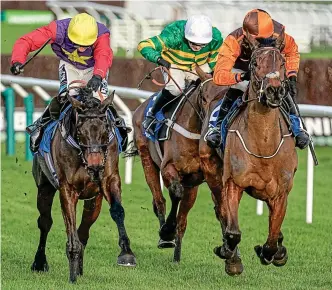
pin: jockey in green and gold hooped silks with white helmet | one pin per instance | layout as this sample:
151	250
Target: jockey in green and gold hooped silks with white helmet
180	47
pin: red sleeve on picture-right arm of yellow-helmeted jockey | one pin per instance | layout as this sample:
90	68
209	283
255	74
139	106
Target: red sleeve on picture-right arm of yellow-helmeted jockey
103	55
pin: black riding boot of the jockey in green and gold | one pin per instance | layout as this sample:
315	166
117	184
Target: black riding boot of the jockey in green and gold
162	99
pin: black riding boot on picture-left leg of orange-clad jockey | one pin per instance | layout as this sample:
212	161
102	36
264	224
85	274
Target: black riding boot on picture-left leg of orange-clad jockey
213	136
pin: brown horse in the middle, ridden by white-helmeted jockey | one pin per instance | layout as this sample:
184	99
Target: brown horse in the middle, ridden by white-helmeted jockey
179	164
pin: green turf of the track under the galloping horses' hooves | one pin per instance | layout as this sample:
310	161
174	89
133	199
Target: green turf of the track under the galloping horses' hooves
309	246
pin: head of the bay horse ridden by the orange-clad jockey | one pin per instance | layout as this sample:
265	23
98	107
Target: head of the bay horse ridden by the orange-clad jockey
268	72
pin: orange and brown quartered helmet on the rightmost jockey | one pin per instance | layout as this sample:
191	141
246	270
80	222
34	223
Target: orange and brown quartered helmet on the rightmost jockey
258	23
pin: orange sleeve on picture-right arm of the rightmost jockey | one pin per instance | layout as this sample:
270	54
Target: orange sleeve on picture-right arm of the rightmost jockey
292	56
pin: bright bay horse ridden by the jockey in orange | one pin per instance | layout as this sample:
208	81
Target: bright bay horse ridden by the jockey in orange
259	158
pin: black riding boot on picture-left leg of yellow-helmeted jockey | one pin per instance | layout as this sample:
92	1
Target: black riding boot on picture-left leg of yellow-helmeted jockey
36	130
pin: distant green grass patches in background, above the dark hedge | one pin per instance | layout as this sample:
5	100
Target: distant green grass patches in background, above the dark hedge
10	33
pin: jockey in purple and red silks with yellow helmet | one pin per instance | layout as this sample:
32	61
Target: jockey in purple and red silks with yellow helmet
83	46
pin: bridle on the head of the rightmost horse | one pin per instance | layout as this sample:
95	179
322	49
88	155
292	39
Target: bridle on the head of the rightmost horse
261	83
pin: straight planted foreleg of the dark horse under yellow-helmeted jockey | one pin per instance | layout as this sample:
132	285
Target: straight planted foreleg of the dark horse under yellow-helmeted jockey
74	247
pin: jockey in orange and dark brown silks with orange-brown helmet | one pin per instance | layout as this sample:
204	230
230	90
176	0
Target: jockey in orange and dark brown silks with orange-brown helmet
232	68
